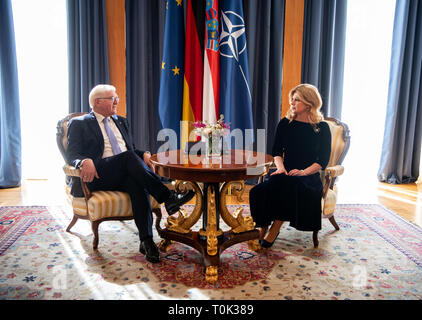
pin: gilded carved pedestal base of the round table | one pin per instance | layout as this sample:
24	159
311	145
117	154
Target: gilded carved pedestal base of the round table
210	241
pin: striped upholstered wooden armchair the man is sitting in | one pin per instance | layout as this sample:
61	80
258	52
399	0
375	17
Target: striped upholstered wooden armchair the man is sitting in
96	206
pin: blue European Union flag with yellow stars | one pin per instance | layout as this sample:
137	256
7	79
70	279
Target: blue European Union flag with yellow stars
172	68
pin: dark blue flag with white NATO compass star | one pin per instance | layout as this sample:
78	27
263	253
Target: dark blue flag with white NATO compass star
235	93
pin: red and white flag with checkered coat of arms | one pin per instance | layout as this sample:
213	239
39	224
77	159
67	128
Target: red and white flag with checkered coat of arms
211	99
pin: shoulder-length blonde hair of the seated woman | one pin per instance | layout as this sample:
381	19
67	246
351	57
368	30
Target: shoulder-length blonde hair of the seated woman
310	96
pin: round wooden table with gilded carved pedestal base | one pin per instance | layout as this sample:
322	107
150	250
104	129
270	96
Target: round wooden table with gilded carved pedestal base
211	179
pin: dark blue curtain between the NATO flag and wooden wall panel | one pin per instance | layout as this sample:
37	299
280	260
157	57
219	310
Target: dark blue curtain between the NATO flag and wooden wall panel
264	40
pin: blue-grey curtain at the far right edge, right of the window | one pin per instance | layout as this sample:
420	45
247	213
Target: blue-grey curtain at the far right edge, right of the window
401	148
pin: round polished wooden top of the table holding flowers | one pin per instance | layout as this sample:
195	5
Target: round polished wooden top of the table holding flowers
236	165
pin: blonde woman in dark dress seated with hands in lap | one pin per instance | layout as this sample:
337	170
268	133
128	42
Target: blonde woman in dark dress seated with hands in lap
301	149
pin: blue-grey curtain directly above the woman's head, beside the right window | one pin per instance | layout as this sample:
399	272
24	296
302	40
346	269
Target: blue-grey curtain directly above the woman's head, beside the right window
324	35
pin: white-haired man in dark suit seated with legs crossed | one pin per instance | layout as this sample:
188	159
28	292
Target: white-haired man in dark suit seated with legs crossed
100	144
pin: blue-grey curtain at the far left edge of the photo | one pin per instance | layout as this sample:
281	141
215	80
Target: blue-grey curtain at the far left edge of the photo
10	128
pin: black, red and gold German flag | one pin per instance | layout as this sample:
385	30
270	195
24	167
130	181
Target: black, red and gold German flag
194	68
